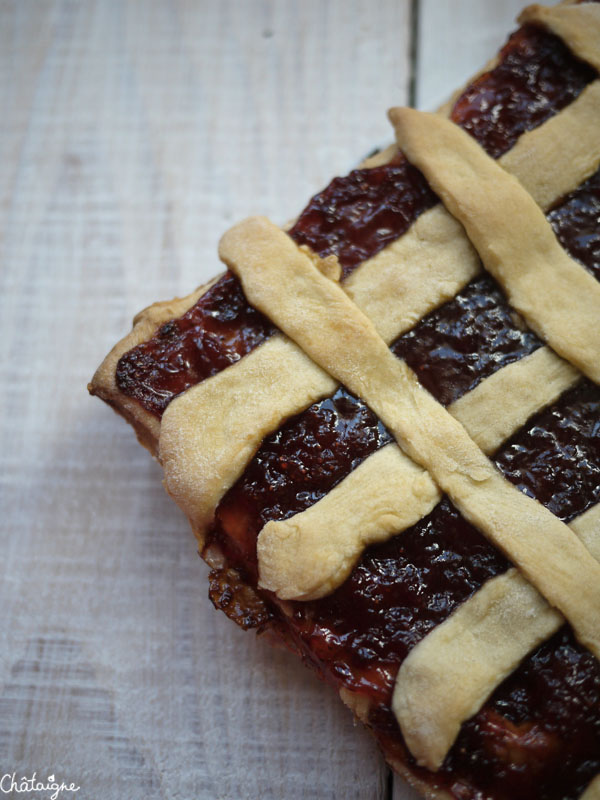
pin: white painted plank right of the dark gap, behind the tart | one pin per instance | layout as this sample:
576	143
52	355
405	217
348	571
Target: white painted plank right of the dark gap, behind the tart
455	40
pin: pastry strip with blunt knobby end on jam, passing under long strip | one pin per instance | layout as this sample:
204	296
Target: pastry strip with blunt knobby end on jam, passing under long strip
311	553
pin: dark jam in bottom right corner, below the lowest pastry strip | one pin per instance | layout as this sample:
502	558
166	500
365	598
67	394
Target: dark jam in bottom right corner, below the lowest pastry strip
539	735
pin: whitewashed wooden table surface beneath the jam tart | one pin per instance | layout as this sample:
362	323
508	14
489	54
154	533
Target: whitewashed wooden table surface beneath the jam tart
132	134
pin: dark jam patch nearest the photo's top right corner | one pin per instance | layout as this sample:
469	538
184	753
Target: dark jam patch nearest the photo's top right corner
536	77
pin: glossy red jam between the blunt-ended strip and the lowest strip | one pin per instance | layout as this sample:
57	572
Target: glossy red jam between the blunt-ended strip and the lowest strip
397	593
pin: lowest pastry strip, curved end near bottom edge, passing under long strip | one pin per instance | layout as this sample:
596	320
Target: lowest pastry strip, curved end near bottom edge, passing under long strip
448	676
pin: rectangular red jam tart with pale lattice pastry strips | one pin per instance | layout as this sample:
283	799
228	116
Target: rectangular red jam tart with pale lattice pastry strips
288	479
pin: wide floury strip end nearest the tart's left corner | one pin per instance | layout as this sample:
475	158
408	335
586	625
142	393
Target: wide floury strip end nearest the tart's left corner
233	411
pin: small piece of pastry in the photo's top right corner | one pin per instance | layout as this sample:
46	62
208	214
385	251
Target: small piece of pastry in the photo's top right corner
577	25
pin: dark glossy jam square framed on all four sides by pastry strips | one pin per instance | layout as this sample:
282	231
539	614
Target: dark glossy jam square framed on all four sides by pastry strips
464	341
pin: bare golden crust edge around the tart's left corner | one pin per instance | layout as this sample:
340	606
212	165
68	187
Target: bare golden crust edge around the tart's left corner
145	325
